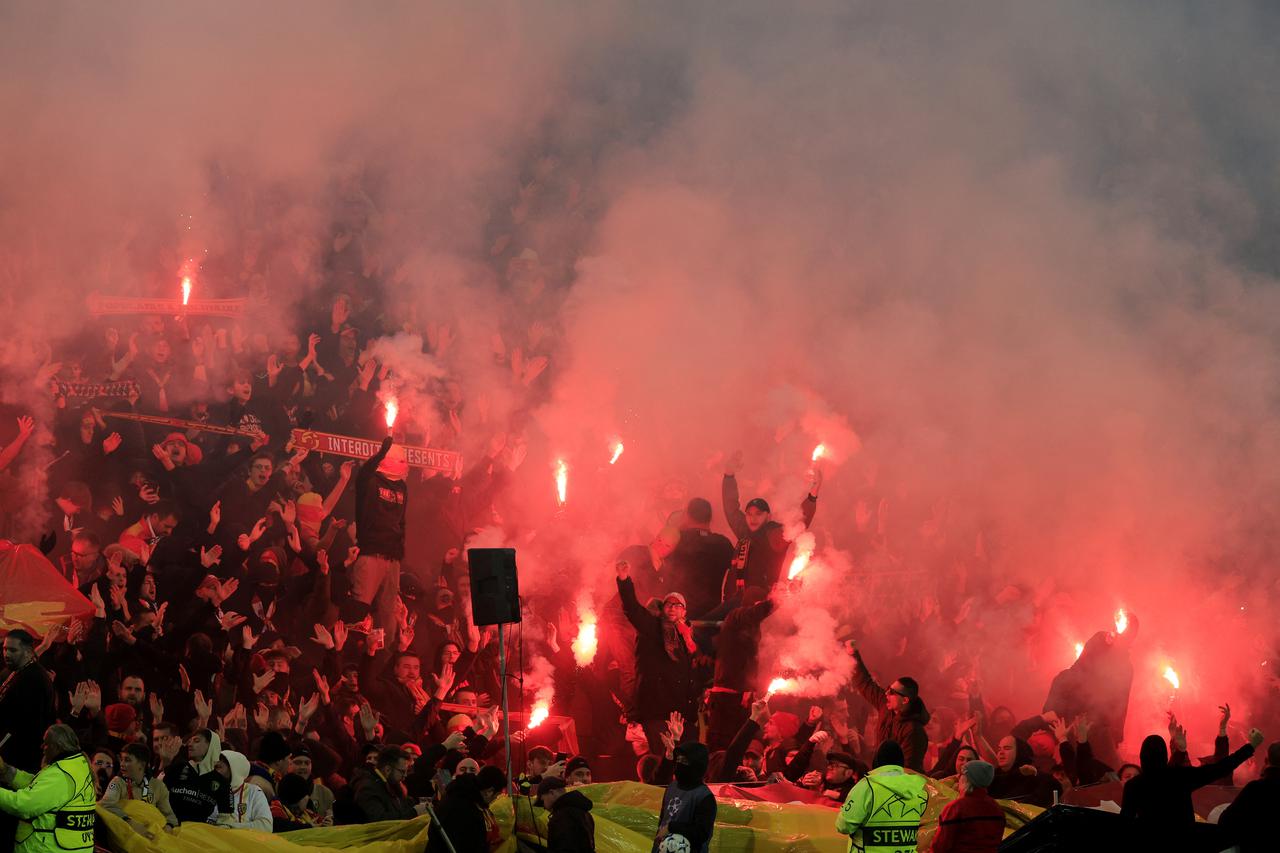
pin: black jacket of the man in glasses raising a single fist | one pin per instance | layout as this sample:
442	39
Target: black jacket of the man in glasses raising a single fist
662	685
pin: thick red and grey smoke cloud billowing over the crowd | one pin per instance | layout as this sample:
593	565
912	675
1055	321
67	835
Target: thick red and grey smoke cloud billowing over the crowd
1009	262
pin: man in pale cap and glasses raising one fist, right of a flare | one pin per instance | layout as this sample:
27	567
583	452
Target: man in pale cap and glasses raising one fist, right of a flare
665	660
